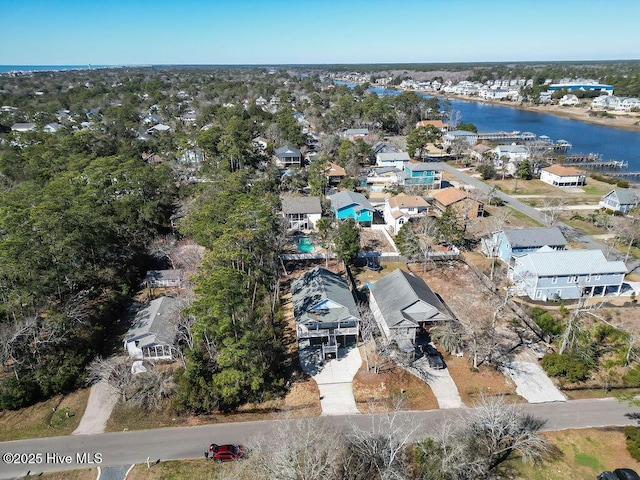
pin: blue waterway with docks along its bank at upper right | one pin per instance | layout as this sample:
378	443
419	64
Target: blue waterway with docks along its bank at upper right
612	143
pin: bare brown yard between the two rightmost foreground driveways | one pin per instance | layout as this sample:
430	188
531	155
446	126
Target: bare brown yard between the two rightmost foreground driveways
485	381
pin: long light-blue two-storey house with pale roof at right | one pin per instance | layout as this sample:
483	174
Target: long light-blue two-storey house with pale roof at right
555	274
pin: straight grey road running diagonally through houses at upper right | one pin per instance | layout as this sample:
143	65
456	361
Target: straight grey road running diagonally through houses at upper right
568	231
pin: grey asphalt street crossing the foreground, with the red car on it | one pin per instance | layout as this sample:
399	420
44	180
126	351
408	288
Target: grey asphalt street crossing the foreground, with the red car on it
126	448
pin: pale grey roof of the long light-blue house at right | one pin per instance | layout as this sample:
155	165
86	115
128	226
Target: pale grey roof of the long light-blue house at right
571	262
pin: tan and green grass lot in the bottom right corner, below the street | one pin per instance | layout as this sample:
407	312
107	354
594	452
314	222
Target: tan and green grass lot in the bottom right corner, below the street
581	454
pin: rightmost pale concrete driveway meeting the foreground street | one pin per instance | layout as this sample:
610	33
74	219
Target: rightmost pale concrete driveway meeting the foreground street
532	383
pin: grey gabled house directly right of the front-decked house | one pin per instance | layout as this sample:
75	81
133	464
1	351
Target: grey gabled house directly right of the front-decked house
402	304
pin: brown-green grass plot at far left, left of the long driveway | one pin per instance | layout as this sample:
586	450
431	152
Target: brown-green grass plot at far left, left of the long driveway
59	415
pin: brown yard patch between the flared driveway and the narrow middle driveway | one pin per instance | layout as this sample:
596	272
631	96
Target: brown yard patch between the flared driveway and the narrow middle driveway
377	392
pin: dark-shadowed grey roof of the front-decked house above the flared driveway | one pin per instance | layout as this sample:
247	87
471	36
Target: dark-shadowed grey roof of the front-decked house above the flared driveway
310	294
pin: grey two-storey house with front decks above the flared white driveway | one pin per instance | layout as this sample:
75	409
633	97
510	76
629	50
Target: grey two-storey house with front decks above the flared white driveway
325	311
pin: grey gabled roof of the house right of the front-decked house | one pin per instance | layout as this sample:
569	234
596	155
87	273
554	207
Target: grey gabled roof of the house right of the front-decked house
402	296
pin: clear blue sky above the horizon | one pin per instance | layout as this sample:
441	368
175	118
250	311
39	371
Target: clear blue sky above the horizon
126	32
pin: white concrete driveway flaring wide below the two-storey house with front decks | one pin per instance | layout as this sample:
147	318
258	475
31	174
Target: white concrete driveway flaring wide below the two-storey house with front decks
334	378
